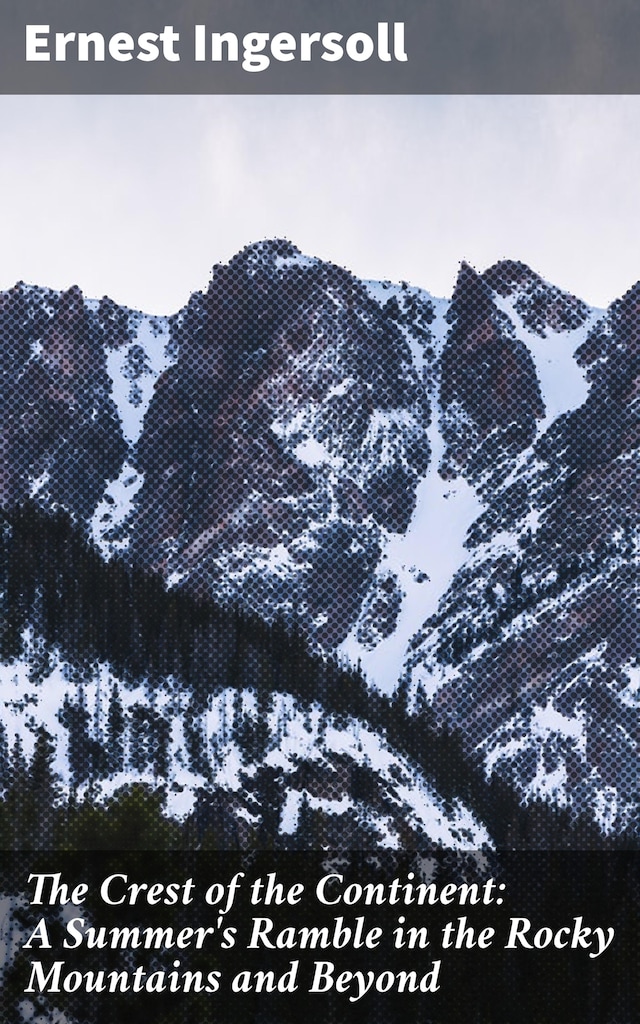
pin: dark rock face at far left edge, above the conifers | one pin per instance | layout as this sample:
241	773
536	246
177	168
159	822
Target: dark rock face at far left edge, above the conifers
62	438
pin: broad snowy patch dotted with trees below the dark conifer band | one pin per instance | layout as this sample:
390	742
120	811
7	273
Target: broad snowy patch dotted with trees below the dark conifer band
297	736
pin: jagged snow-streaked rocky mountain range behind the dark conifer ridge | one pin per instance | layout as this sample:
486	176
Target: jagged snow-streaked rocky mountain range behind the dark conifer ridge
443	492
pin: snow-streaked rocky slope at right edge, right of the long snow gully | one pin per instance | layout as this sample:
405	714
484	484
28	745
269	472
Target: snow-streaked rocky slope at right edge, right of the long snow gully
536	641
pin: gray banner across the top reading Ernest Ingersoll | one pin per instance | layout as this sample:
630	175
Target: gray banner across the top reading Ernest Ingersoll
325	47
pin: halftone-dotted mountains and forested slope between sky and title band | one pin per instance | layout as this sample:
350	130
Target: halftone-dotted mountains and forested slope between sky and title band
201	523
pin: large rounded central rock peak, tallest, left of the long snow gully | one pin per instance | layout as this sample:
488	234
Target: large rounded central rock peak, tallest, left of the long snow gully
271	431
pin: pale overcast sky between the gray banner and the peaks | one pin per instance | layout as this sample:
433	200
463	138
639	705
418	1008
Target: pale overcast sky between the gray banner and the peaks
138	197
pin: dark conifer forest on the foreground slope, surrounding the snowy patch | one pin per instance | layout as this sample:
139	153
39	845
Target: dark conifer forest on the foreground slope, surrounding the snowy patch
56	584
